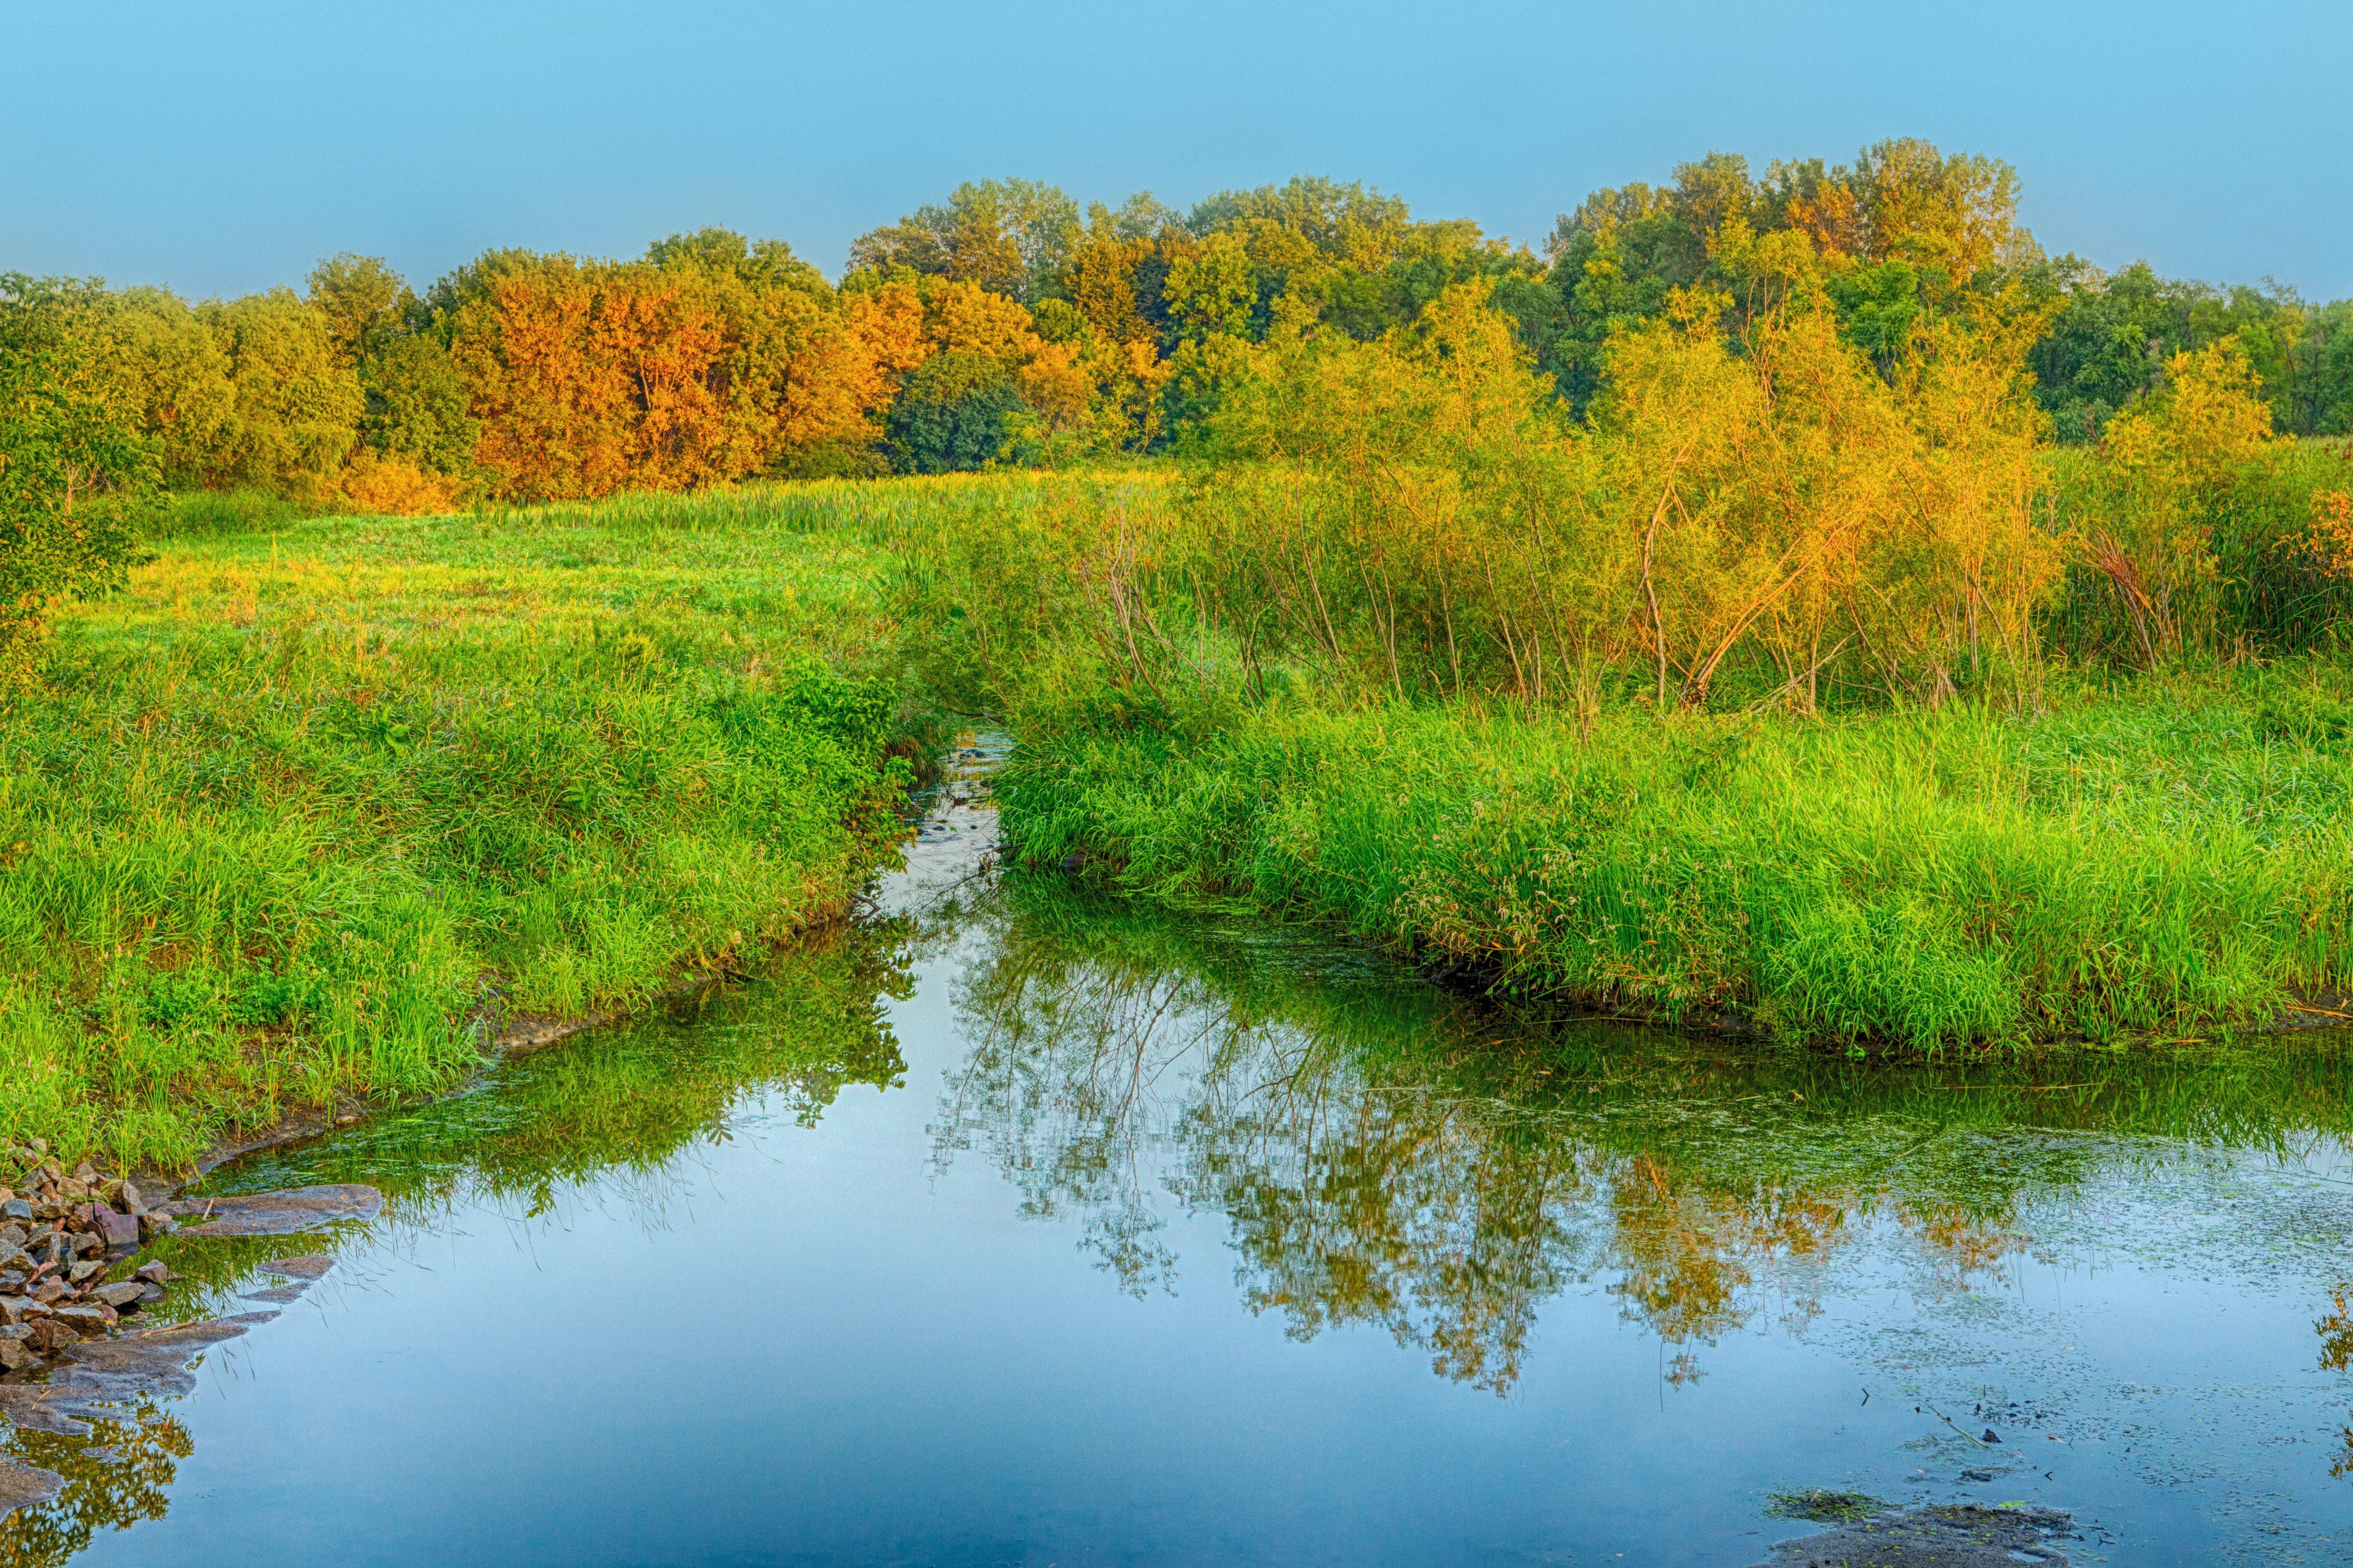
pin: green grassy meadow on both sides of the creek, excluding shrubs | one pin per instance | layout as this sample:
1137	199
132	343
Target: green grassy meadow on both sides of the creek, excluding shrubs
316	806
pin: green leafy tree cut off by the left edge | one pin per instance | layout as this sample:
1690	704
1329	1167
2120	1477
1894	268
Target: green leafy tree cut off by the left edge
74	465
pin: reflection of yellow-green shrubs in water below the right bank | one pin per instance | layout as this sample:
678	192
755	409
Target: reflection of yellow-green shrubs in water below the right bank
1406	1160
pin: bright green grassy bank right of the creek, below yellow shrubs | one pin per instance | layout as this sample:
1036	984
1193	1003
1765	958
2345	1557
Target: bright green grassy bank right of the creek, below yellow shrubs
2157	861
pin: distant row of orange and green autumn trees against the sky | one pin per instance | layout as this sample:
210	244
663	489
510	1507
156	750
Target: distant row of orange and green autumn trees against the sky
1011	324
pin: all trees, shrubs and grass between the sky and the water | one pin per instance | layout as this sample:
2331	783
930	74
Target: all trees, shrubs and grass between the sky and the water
1780	606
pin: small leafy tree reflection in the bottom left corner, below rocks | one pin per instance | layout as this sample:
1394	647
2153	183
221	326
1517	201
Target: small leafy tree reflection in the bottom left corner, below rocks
114	1480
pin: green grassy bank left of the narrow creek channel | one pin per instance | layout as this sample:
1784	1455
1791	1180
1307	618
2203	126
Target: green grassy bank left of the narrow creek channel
307	804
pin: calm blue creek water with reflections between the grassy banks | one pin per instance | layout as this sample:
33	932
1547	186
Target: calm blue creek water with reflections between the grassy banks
1008	1228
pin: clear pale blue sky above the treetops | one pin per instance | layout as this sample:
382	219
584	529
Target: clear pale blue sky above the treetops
227	147
